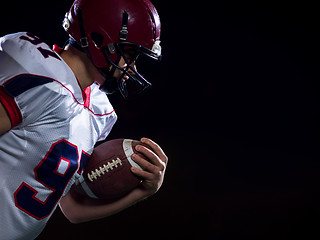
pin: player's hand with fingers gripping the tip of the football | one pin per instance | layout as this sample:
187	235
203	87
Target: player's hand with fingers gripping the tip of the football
153	169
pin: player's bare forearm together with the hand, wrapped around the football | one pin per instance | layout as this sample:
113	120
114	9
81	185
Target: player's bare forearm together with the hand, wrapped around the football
81	209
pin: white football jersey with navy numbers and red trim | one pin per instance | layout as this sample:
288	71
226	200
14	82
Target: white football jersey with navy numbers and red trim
55	127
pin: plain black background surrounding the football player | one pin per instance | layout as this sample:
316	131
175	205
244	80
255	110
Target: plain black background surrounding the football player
234	106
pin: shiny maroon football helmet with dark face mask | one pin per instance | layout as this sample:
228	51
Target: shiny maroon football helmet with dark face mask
107	30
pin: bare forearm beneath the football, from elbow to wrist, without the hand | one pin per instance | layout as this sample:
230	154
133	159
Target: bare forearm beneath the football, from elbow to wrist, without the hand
85	209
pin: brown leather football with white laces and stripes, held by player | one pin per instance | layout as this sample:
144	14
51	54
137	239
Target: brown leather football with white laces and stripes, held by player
107	174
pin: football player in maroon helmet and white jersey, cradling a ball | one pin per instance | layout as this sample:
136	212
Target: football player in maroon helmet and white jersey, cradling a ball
54	108
